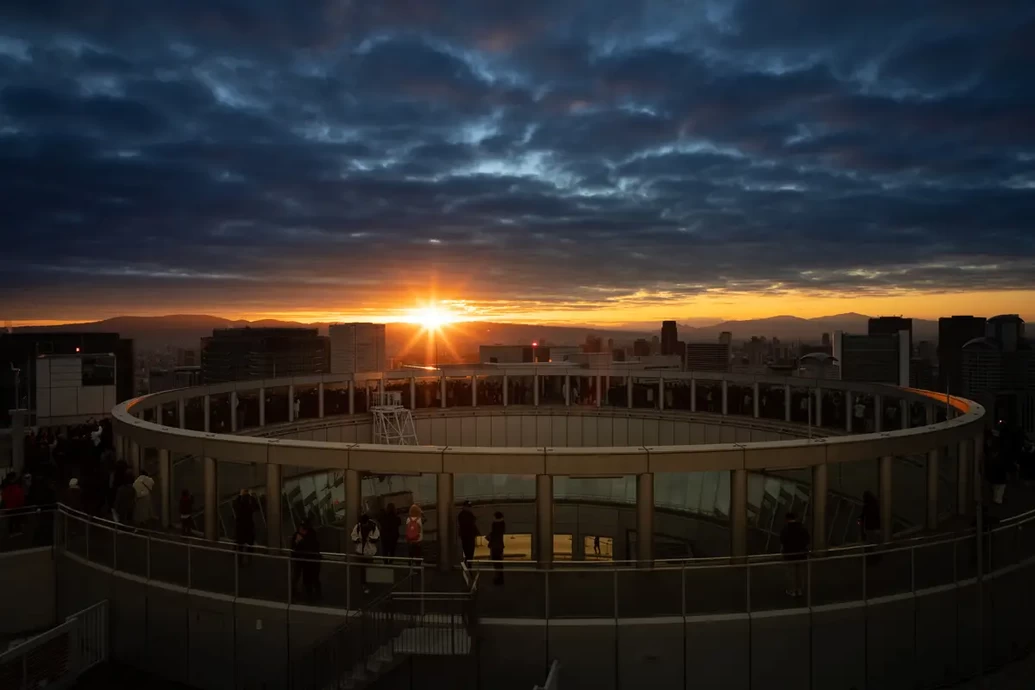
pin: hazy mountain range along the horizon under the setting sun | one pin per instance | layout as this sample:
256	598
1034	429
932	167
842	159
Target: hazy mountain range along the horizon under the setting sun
187	332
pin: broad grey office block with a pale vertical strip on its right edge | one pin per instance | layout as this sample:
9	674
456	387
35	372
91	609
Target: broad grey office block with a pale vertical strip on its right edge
876	358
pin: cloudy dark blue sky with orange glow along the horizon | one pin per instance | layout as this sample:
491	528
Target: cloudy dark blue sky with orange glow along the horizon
590	161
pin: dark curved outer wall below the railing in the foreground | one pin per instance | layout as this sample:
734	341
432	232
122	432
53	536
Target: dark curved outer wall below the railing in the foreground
214	641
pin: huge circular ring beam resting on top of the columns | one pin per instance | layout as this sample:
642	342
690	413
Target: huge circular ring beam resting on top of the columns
964	423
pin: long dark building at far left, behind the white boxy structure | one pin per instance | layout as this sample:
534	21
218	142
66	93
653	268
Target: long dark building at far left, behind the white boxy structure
20	350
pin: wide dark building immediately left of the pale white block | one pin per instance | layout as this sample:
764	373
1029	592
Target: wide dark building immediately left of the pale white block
241	354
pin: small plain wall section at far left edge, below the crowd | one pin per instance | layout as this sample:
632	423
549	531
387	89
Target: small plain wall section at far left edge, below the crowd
27	586
